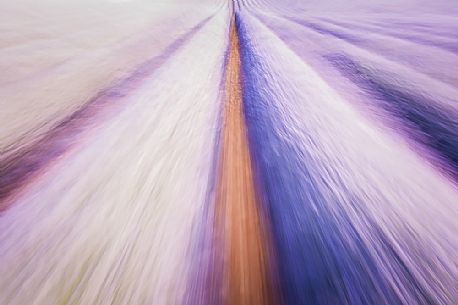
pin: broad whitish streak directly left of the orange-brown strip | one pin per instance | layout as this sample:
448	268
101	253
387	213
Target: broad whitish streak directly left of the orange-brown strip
111	223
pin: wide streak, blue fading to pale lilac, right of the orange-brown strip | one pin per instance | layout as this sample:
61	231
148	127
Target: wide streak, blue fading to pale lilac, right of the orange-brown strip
348	206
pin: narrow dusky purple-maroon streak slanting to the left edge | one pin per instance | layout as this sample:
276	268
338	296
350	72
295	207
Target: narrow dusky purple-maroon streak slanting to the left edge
19	167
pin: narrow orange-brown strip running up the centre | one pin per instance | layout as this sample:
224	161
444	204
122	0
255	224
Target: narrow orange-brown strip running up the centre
246	280
